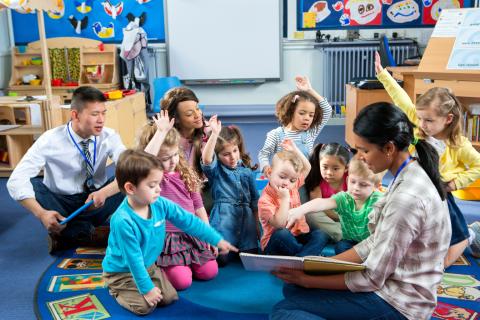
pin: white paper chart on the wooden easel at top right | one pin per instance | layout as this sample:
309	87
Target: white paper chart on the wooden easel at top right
465	52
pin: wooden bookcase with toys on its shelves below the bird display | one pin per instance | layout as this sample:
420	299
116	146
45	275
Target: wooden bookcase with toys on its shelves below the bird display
92	54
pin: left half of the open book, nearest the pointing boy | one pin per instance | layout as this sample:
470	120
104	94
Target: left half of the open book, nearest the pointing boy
256	262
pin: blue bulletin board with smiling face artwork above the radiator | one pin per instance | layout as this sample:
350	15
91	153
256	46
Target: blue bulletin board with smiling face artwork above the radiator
377	14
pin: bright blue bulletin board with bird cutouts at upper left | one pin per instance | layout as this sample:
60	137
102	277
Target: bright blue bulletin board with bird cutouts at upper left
95	19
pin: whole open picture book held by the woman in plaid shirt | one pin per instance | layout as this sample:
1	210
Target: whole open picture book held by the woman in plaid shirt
310	264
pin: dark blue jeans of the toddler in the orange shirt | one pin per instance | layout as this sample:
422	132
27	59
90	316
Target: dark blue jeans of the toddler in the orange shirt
283	242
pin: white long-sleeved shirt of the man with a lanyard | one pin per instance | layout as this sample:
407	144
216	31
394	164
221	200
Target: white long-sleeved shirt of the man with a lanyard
62	163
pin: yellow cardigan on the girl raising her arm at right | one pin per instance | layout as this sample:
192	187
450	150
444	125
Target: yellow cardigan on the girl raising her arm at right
462	163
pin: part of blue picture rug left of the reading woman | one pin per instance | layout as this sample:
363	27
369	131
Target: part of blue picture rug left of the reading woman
72	288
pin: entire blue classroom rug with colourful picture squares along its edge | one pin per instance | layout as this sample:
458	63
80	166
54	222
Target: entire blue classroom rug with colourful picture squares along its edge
72	288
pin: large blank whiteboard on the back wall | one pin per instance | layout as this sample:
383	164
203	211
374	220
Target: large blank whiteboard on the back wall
223	39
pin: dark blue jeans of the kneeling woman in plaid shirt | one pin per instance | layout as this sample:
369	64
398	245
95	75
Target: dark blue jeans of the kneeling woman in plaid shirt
306	304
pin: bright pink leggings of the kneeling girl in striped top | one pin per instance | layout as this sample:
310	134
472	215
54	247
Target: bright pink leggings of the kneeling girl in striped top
181	276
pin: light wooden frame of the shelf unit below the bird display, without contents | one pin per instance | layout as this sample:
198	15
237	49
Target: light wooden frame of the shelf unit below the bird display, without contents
90	54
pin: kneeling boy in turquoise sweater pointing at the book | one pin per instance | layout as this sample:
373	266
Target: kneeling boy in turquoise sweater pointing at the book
137	233
